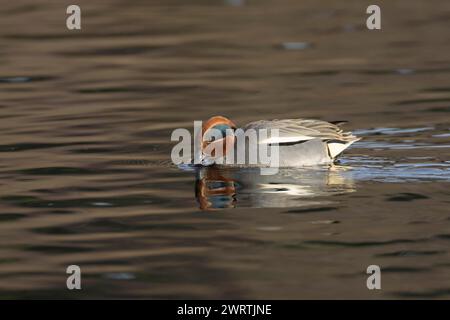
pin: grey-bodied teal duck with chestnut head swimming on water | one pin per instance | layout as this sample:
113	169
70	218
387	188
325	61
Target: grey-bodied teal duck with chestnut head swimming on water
301	142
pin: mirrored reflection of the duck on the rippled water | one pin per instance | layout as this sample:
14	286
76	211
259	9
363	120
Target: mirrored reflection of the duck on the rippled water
217	188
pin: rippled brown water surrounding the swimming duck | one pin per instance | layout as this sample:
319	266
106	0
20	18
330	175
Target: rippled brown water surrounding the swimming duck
86	179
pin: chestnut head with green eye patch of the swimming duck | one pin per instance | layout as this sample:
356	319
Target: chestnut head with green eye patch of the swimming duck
217	138
